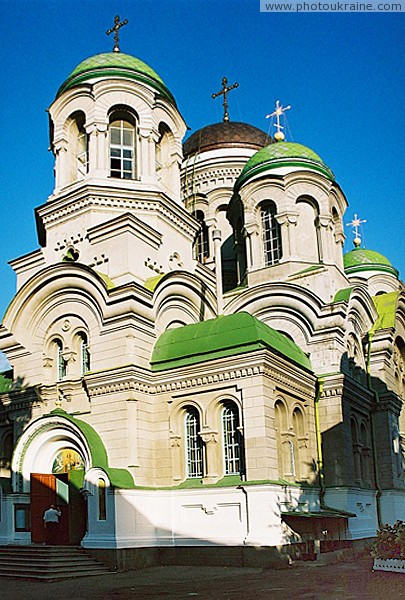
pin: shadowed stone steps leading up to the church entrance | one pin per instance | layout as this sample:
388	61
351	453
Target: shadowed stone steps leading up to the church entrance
48	563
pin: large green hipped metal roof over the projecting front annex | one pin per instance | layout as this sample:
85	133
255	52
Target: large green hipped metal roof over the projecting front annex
222	337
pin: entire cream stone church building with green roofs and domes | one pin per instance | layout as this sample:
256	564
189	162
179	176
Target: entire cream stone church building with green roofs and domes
195	363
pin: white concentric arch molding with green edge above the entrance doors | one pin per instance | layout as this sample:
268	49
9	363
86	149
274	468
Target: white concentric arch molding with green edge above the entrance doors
43	439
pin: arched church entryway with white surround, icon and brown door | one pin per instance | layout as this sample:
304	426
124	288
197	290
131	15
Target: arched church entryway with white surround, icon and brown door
49	464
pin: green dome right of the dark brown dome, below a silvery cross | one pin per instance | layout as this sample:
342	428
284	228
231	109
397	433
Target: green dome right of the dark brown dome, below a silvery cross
283	154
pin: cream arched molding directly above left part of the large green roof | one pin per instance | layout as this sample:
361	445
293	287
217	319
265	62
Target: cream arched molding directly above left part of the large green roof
182	296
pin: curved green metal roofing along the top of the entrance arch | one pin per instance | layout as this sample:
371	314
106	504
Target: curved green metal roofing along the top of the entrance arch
119	478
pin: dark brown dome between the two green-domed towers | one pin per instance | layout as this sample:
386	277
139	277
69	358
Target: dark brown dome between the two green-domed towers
226	135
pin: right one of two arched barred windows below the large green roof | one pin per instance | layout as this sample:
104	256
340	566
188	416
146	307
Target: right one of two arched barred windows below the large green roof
231	439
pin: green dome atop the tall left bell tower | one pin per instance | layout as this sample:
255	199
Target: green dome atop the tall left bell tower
113	65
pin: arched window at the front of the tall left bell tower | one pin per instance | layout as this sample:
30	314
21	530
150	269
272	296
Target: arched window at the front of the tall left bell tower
122	145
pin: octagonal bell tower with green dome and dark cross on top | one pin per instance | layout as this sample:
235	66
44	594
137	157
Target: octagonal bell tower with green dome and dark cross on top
116	135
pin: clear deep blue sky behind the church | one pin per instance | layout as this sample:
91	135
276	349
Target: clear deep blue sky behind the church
343	74
